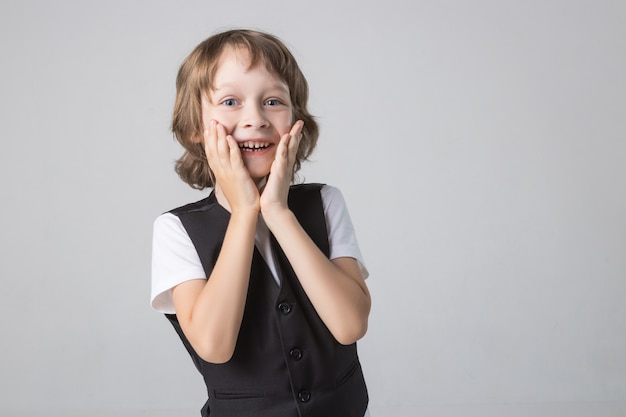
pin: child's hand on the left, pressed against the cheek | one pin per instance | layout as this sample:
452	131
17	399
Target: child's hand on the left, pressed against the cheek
231	176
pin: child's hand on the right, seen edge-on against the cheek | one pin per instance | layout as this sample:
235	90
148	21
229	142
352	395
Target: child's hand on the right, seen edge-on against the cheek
276	190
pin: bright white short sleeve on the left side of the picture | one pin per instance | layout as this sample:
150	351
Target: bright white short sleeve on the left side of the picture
174	260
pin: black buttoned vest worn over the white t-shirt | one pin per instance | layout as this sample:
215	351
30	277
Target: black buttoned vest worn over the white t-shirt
286	362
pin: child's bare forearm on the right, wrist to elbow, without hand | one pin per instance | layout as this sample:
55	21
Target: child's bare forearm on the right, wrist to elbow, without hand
335	288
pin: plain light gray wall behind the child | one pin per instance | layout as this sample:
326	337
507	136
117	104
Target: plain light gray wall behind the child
480	146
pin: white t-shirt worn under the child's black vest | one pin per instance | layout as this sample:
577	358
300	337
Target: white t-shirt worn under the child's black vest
175	260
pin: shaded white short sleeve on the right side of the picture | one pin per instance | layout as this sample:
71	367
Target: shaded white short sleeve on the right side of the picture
341	233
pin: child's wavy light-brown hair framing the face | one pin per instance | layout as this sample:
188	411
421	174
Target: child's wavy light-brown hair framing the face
195	78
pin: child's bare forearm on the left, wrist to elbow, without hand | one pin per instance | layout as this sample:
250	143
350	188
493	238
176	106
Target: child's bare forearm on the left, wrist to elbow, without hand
213	320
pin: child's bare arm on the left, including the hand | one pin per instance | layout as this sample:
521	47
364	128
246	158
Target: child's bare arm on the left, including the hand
210	311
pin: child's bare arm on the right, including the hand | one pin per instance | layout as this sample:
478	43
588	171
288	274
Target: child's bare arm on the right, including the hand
336	288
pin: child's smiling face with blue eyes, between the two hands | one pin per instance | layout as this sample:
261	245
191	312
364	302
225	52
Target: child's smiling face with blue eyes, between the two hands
253	105
